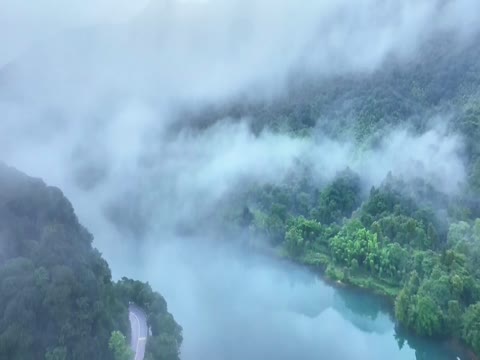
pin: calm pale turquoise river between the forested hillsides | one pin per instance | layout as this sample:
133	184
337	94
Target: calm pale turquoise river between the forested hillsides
237	306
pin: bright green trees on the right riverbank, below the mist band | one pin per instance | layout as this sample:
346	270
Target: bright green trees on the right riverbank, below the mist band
393	244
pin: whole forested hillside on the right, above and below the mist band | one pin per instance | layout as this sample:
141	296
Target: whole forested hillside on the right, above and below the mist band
407	237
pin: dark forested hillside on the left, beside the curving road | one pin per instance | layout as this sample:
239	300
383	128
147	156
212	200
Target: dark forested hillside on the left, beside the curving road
57	297
